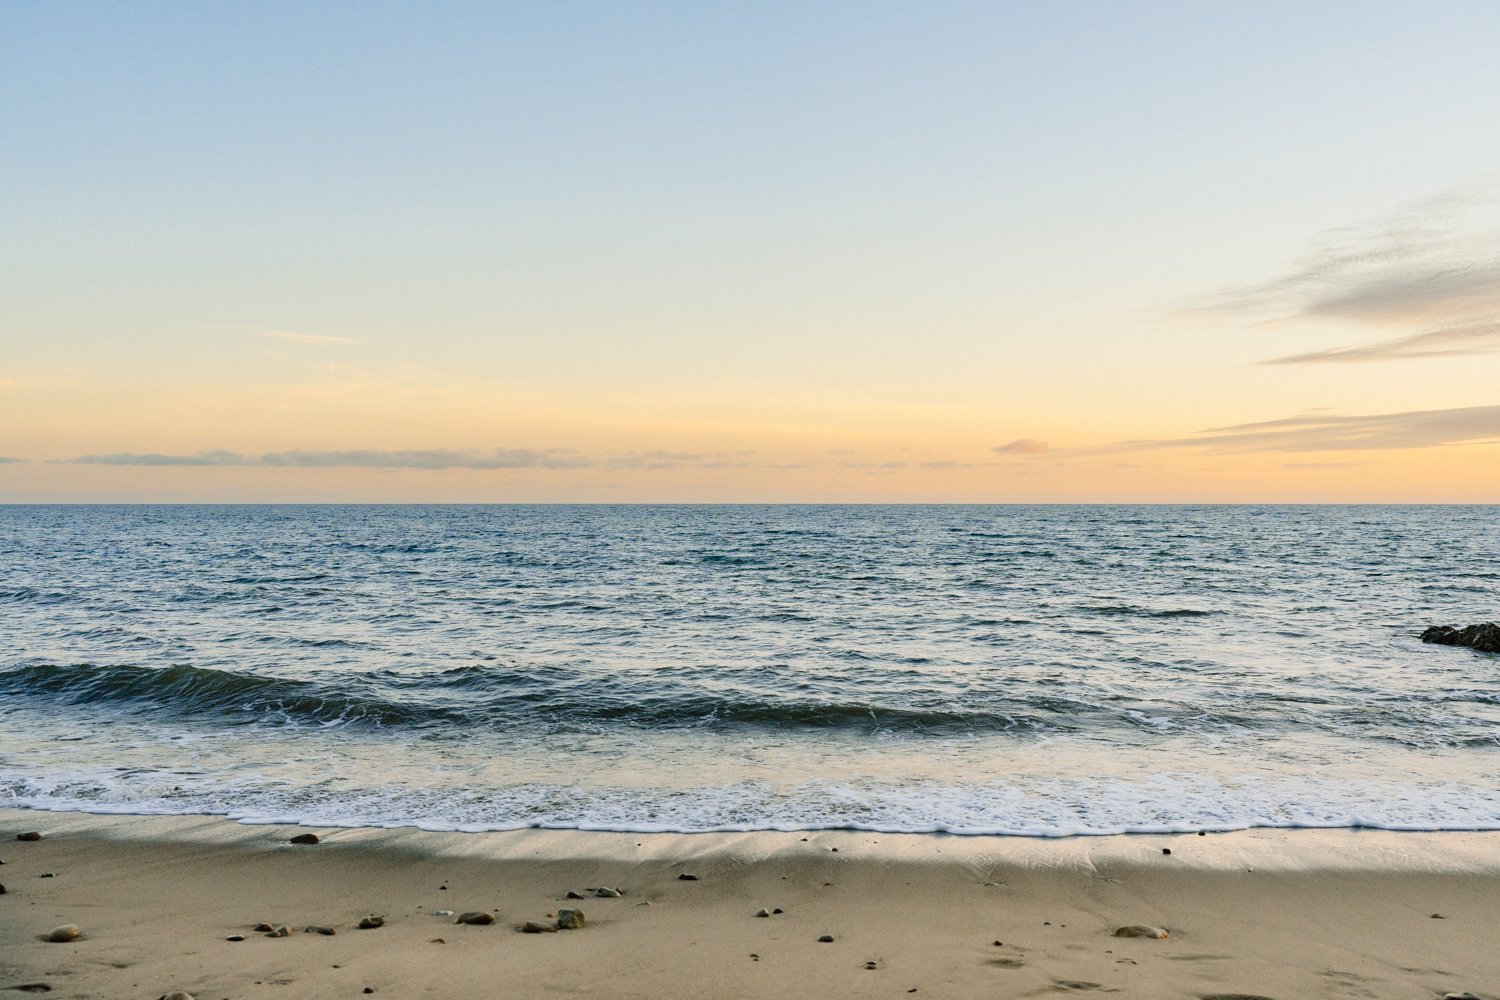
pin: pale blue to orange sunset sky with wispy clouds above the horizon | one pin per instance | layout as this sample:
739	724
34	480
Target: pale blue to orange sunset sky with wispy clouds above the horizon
763	253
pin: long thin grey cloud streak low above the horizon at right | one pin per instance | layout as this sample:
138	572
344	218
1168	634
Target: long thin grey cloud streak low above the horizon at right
1331	433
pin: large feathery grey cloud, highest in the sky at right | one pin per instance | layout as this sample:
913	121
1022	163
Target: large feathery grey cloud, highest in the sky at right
1424	281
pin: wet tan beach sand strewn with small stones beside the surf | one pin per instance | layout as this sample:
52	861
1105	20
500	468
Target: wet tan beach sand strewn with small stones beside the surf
1256	914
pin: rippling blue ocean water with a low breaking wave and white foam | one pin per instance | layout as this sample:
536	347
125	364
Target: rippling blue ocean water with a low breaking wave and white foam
1037	671
